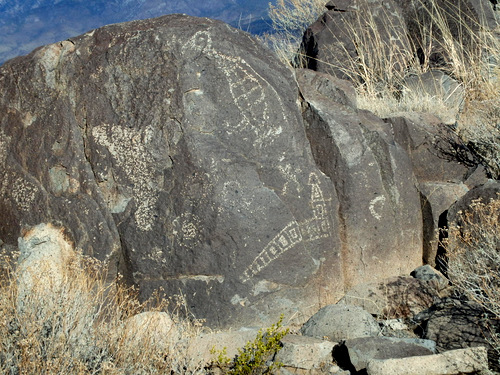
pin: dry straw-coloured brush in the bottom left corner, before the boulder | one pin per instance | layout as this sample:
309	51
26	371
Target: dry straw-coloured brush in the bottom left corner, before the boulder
85	328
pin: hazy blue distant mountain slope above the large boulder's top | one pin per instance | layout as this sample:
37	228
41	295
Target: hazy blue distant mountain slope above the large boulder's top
25	25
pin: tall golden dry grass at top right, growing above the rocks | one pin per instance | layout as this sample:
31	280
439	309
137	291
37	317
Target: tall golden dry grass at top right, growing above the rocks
461	47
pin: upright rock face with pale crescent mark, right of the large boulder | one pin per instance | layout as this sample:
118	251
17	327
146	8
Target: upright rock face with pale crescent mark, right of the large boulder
381	222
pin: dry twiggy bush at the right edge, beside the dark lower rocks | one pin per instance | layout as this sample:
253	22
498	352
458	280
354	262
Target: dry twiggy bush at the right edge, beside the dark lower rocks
473	251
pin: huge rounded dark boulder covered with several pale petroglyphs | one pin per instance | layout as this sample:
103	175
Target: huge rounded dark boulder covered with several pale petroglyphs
175	148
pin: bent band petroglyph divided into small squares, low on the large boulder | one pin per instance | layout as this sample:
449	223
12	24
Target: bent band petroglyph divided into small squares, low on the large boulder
317	227
